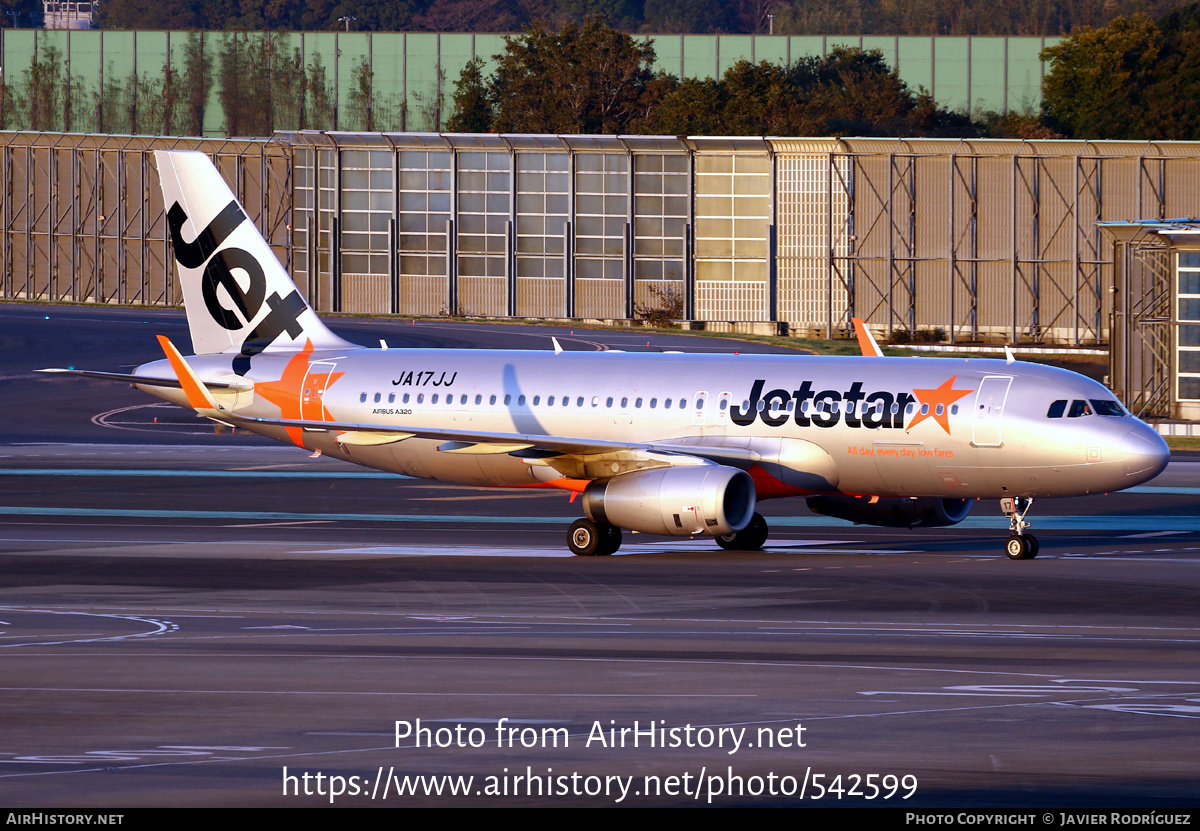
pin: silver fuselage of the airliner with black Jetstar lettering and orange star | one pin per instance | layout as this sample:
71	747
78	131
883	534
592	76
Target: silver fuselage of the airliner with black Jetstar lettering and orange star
817	425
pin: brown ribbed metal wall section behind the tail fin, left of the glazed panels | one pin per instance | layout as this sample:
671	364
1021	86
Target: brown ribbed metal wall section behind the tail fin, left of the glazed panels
82	218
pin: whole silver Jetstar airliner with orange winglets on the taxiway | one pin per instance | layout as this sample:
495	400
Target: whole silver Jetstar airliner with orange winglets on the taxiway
681	445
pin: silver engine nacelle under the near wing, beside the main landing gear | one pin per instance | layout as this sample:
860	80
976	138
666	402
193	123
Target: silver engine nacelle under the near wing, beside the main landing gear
675	501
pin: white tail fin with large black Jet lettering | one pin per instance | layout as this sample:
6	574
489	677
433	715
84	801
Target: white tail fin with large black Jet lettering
238	297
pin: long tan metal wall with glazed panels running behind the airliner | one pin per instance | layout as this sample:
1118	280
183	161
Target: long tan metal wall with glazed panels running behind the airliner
1039	243
